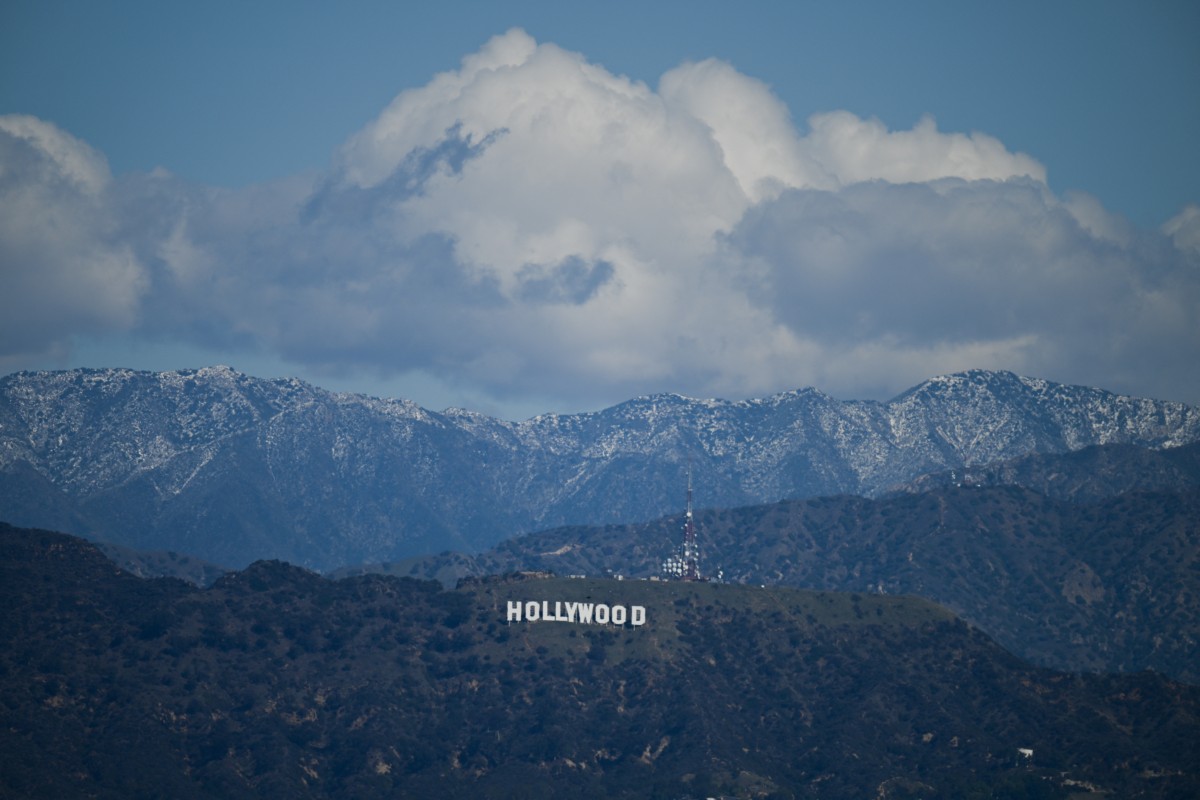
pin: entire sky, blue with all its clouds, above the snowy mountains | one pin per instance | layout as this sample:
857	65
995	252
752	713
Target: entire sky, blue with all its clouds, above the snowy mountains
251	199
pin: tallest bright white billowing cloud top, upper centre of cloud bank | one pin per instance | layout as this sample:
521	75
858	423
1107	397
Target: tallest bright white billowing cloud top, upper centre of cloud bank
578	163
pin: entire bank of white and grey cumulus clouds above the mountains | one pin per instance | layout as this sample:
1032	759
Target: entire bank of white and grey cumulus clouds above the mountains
533	226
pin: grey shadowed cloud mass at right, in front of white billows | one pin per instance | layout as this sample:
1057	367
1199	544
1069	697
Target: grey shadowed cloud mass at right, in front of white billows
898	279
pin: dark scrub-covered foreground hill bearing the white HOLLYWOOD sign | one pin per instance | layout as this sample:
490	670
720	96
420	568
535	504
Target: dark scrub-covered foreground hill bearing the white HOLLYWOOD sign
279	683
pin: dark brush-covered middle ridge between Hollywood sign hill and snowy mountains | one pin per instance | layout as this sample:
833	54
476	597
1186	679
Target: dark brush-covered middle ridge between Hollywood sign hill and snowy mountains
1111	587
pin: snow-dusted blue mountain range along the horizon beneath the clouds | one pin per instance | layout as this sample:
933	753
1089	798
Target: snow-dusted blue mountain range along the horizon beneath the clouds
233	468
